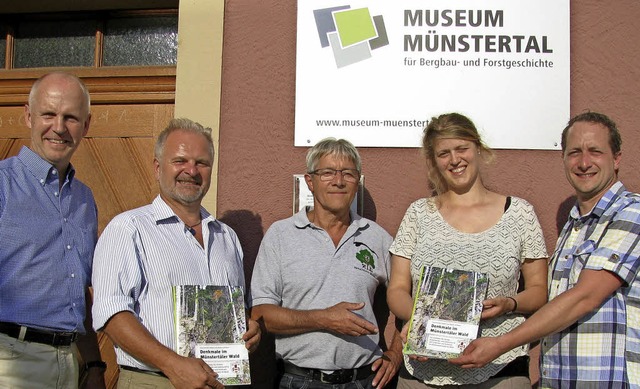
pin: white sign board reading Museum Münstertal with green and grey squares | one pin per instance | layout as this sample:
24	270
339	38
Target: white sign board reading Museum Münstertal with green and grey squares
374	72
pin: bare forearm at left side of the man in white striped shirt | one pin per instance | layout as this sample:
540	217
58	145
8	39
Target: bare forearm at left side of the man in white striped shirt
126	332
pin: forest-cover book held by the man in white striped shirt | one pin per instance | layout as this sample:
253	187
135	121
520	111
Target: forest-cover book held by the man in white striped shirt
209	323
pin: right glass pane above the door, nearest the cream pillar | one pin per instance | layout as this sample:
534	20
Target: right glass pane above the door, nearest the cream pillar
141	41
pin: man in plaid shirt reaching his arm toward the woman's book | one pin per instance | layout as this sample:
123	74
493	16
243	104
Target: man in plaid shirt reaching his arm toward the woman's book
591	325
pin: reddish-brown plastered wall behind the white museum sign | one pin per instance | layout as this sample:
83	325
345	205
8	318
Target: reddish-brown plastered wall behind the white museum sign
257	158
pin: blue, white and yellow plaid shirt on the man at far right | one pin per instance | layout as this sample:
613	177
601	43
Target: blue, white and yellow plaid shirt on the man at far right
602	349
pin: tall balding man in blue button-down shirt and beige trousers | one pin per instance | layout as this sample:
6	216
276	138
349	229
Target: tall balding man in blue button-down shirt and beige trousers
48	230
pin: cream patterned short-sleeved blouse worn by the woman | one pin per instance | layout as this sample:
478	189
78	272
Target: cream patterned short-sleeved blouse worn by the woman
426	238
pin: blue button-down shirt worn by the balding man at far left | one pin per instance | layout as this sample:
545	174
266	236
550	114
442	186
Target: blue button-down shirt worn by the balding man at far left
47	236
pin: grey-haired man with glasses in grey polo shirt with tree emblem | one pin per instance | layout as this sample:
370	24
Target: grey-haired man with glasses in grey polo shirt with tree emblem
315	279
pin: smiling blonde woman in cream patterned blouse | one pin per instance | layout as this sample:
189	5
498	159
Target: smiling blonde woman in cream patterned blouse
468	227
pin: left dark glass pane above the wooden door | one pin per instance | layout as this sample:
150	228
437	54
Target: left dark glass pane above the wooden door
54	43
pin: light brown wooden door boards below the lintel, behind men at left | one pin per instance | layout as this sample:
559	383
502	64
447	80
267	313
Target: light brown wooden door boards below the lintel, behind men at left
114	160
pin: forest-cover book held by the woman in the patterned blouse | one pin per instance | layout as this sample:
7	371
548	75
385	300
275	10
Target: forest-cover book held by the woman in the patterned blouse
446	312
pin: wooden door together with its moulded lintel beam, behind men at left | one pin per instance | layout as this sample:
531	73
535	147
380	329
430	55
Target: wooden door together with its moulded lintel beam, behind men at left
129	108
